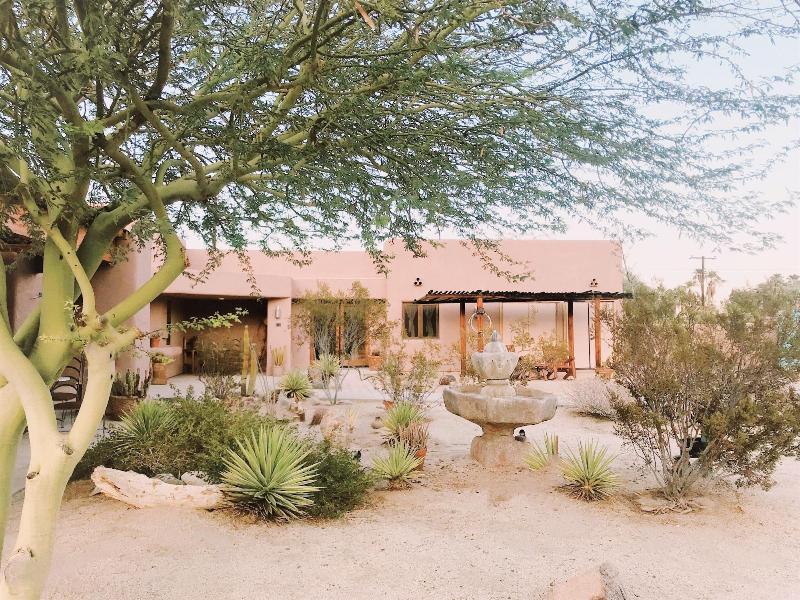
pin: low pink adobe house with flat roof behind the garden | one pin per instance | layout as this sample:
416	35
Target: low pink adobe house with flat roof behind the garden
568	281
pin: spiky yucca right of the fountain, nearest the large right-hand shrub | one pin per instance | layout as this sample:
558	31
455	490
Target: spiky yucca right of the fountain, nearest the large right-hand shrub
589	475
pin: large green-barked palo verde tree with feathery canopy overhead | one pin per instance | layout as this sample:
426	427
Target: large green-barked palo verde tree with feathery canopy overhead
333	119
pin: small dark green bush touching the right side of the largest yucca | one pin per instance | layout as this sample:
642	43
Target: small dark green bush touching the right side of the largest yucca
343	483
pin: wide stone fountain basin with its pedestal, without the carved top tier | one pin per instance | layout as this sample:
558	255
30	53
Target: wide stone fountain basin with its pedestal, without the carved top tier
499	414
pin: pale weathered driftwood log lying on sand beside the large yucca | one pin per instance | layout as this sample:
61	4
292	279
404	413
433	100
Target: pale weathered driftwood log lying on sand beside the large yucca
141	491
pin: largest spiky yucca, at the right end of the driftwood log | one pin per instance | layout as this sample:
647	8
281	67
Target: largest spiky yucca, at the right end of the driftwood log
269	475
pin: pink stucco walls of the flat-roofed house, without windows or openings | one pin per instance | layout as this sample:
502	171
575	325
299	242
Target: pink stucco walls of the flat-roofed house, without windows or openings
550	265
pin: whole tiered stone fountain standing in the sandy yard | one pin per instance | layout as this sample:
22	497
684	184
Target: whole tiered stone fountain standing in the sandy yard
498	407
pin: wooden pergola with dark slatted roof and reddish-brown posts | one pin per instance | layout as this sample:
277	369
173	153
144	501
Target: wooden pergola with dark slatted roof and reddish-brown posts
480	296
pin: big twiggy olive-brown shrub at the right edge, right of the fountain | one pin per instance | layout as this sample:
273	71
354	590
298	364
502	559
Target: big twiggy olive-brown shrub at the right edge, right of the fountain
710	387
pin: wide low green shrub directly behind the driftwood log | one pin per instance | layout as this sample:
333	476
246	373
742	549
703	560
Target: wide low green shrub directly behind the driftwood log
199	433
